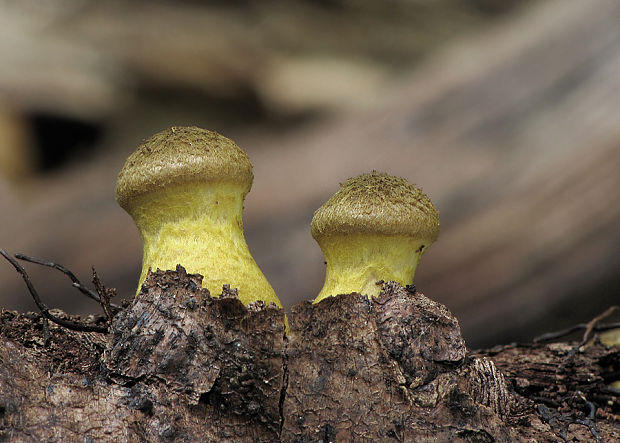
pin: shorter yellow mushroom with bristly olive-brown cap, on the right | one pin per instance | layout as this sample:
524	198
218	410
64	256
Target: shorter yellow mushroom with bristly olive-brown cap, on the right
376	227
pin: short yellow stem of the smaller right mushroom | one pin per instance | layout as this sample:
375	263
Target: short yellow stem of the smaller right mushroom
355	262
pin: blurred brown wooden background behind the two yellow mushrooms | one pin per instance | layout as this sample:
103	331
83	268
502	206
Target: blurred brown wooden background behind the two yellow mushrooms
506	113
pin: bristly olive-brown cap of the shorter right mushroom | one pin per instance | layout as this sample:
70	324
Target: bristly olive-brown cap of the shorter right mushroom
377	203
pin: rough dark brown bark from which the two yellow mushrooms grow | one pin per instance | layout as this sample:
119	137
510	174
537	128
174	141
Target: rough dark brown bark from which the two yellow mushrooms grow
178	364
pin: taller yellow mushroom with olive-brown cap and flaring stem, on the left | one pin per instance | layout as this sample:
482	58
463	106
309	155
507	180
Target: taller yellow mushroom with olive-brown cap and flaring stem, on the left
184	187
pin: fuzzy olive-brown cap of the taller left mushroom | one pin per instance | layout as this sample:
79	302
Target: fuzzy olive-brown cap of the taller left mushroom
180	155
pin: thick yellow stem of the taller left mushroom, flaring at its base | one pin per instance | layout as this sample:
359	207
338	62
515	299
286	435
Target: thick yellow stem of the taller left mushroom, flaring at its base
199	225
